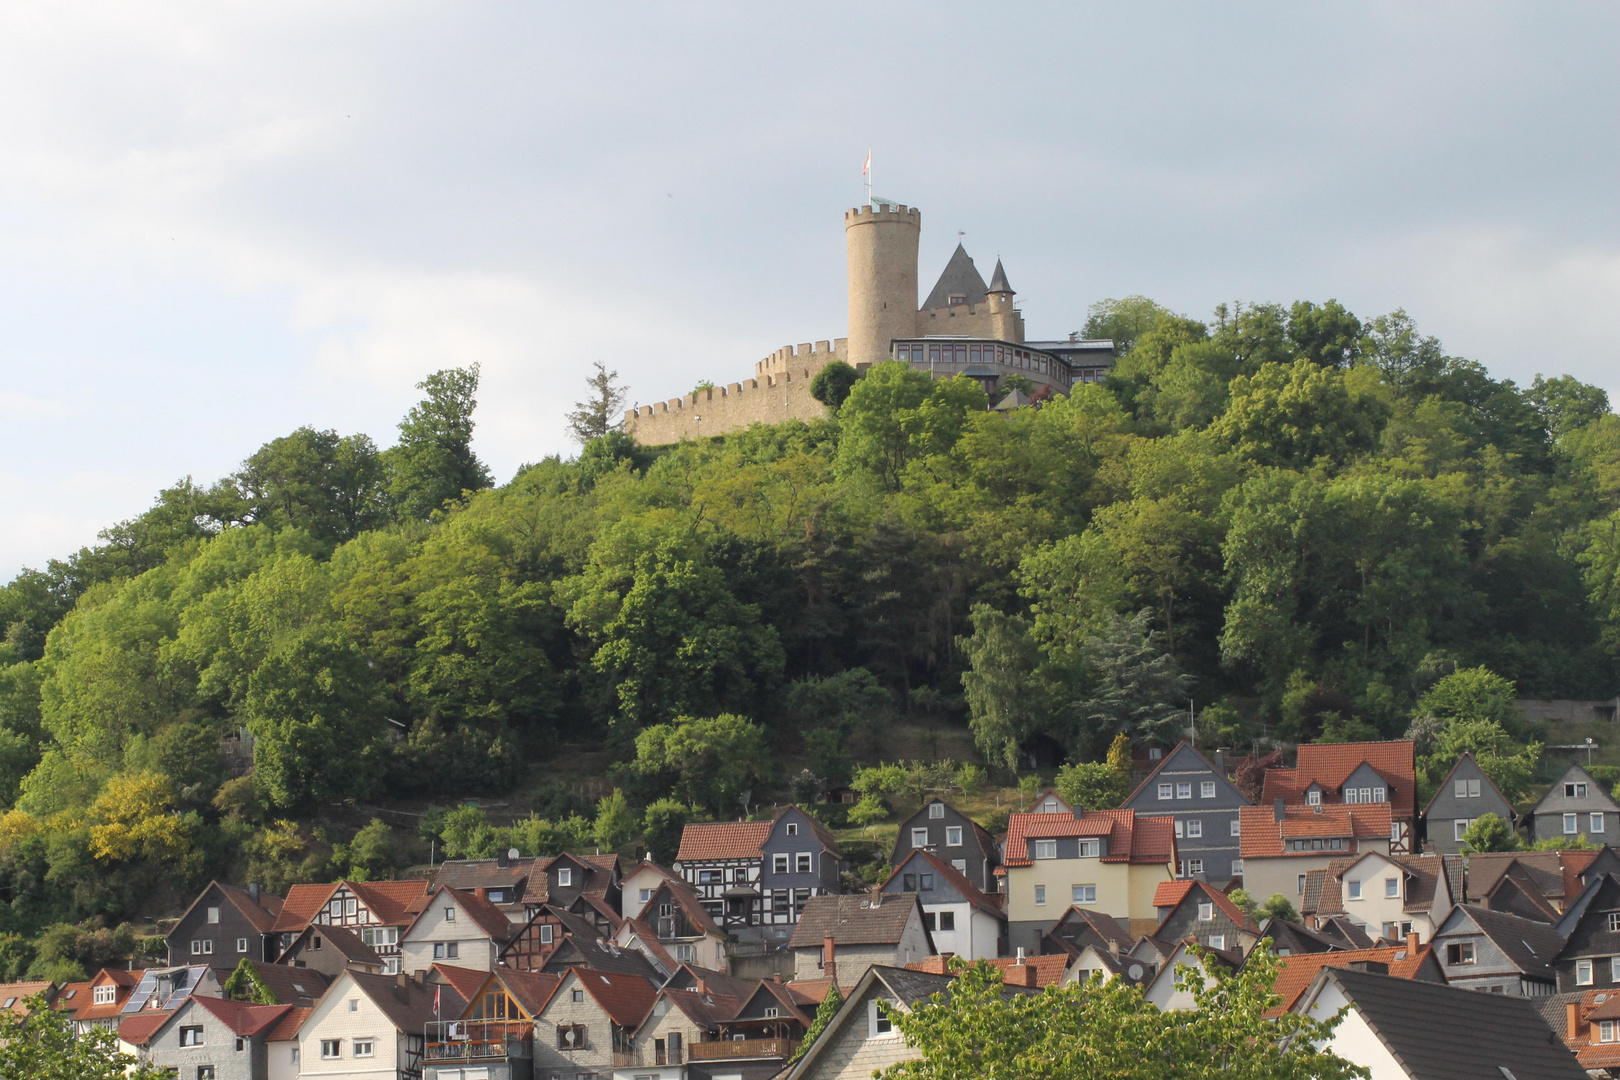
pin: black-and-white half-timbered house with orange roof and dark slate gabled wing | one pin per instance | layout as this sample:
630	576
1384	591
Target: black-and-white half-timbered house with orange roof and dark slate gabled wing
754	878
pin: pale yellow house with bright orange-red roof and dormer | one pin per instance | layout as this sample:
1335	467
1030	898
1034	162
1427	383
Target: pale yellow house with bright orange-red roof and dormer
1109	861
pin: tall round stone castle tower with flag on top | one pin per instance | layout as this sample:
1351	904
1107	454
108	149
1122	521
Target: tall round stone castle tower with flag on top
882	245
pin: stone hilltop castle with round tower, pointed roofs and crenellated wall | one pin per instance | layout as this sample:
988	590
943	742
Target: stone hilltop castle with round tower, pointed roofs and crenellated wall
965	328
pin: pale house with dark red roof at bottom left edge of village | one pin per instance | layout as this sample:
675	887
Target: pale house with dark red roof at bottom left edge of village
211	1039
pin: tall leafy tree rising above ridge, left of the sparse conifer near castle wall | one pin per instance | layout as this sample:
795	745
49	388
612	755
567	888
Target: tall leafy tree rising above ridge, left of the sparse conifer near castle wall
433	462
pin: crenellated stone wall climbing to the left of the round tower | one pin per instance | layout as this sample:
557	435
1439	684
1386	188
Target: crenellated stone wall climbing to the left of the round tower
782	393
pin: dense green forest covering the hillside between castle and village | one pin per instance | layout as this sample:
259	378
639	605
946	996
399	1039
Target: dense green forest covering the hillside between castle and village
1285	524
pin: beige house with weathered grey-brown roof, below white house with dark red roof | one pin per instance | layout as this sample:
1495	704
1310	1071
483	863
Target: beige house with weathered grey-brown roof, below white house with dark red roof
842	937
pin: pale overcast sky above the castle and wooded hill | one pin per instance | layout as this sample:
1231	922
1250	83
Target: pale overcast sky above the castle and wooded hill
220	223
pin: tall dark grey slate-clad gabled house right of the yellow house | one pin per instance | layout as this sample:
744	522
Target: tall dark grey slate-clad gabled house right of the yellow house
1187	788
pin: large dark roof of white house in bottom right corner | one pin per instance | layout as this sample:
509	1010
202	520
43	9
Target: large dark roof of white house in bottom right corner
1447	1034
